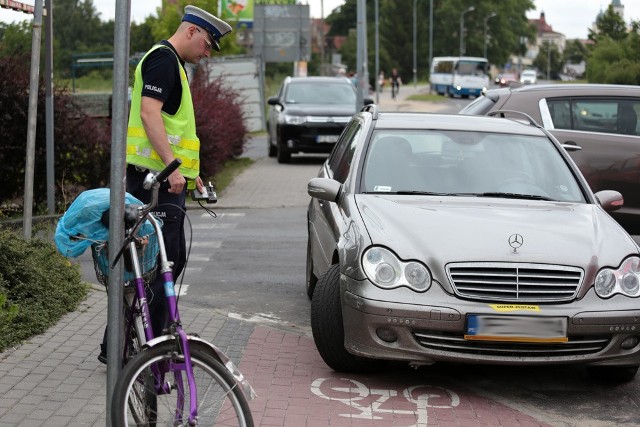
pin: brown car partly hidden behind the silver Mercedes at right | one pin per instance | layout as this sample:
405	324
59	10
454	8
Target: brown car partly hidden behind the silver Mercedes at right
596	124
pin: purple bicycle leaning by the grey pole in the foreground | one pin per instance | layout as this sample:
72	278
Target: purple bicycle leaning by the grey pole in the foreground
175	379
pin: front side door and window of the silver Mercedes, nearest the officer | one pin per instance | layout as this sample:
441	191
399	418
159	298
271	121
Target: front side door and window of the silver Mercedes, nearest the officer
325	218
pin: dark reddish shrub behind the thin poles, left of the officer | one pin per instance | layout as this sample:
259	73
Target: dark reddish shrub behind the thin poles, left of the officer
81	153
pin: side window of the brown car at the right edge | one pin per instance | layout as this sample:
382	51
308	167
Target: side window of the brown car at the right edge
596	115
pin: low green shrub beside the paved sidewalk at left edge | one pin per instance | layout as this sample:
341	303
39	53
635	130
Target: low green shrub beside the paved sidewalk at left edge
39	284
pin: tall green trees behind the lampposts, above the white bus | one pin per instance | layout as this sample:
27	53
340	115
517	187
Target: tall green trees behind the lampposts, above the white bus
506	30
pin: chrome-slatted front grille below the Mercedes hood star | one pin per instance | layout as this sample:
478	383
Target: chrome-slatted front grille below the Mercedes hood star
512	282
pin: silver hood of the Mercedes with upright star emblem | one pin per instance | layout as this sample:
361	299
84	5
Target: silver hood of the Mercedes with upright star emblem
451	229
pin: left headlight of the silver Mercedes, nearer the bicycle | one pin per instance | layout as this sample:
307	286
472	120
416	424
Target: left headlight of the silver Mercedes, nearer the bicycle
385	270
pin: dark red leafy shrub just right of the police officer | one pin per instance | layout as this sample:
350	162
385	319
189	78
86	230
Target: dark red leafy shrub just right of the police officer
219	121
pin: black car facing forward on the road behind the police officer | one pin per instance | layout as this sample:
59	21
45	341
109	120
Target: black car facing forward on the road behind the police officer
308	115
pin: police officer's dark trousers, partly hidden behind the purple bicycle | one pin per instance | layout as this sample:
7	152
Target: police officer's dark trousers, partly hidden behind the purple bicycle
171	211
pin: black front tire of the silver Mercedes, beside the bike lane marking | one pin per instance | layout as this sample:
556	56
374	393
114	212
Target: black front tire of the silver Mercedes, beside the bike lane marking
328	329
